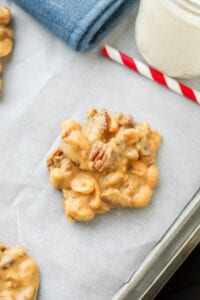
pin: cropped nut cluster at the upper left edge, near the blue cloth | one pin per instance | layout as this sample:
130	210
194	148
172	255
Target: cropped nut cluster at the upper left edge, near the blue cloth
6	35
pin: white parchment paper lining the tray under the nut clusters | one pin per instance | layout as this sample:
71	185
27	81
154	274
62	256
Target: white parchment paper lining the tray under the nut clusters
45	83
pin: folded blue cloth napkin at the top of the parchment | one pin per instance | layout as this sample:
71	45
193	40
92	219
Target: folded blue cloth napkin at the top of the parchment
81	24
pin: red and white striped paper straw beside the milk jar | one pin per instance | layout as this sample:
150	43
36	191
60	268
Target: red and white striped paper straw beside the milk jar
151	73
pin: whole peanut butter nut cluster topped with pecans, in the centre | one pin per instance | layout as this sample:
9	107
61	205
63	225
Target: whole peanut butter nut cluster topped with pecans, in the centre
105	163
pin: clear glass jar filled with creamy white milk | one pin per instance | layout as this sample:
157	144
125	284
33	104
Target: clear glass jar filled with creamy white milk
168	36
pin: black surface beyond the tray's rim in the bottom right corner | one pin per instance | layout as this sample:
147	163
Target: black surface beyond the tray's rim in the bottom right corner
185	284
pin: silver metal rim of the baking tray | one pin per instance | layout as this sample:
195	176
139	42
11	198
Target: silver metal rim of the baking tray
166	256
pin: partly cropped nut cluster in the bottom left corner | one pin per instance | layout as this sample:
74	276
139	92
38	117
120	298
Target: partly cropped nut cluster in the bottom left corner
19	274
